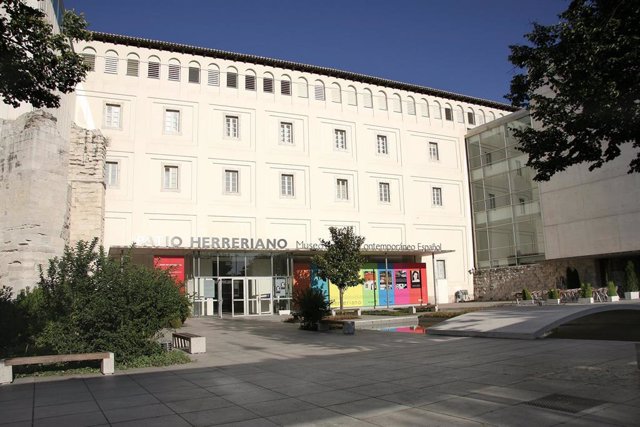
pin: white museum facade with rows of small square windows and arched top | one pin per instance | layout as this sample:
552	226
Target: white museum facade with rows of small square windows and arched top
220	153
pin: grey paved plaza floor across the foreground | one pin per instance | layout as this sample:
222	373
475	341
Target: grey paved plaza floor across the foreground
262	372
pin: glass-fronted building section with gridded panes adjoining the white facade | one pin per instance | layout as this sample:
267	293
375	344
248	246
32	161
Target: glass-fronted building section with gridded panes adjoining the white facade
505	200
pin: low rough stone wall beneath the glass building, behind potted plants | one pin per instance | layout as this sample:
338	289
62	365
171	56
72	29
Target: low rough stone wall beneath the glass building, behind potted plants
501	283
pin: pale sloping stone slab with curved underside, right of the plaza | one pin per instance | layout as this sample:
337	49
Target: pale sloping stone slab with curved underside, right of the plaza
521	322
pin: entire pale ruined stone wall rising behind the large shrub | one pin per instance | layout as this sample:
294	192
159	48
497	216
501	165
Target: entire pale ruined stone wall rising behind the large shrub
51	194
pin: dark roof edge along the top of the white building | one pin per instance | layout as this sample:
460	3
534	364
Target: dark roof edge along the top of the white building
294	66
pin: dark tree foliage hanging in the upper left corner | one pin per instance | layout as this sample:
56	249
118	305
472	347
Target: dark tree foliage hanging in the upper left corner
36	63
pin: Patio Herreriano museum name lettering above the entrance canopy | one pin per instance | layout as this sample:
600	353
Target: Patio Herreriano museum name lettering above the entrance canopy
269	244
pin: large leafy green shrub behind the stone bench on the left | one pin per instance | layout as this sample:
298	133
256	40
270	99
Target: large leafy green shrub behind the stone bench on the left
88	302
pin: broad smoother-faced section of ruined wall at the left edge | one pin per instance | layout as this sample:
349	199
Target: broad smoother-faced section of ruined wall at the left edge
33	197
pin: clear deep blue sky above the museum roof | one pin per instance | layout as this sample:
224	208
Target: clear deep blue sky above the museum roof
455	45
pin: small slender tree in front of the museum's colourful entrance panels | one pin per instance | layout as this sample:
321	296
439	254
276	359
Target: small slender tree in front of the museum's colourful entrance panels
340	263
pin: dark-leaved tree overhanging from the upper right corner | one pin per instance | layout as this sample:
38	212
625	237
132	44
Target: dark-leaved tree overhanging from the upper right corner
582	84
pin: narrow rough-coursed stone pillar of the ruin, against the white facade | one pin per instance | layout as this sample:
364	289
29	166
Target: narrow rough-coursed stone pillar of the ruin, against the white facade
86	180
